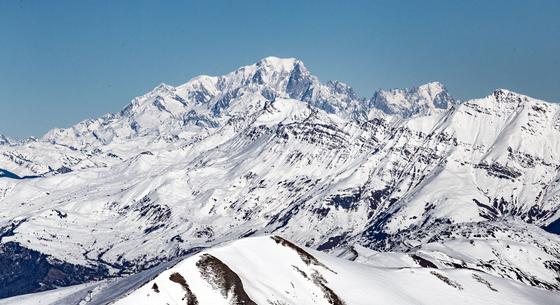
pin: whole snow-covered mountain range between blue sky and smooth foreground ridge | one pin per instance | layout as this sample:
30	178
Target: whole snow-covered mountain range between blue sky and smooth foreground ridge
270	149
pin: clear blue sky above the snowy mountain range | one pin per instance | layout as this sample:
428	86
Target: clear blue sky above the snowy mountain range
65	61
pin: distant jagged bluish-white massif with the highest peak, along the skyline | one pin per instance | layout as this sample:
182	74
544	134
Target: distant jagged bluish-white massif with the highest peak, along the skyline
210	101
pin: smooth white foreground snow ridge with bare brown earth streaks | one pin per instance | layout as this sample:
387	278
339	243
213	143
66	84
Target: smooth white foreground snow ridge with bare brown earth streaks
272	270
